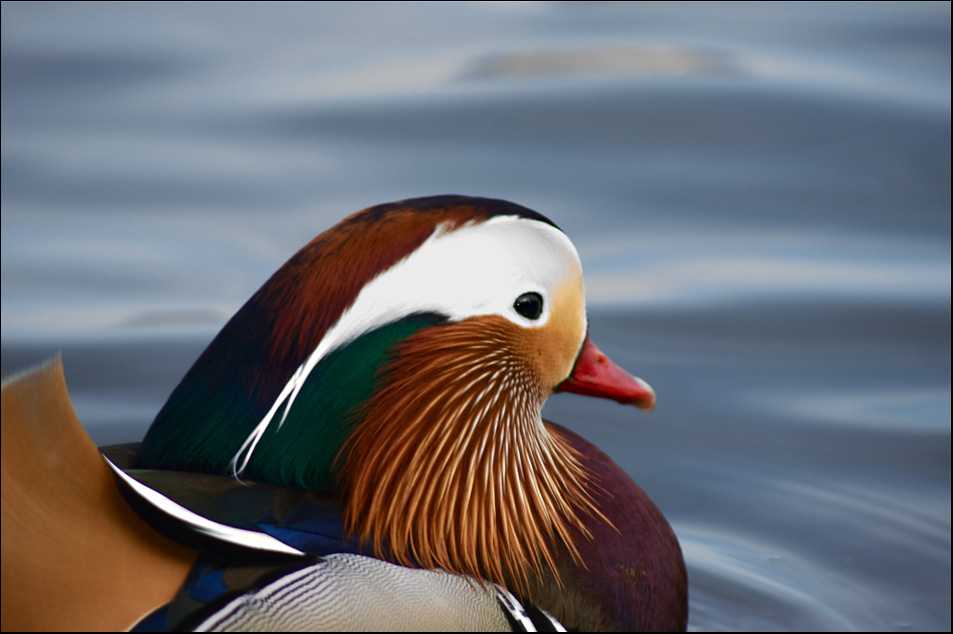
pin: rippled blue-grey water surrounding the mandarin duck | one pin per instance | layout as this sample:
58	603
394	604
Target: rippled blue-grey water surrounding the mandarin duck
760	194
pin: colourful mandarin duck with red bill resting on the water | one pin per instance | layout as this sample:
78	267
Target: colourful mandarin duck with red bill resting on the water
360	447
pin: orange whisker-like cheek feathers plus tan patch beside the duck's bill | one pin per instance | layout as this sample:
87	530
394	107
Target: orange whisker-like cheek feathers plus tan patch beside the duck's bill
452	466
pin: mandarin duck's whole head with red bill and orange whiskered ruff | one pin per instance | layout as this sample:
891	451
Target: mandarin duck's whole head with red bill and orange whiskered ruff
403	358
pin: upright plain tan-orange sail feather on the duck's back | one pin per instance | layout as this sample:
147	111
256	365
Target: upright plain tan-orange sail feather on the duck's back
75	556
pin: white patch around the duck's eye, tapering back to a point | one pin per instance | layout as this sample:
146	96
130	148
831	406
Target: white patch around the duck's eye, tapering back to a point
477	269
